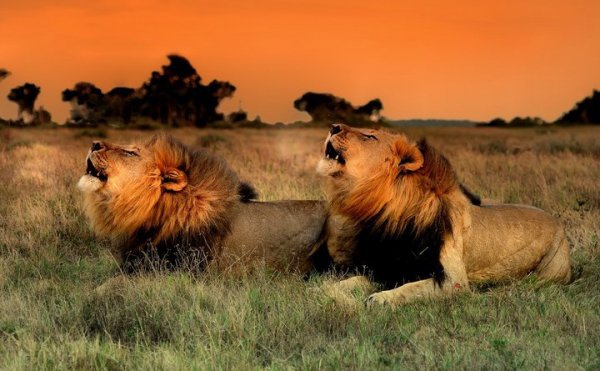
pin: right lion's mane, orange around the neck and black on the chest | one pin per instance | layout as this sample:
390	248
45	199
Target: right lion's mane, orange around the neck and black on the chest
401	214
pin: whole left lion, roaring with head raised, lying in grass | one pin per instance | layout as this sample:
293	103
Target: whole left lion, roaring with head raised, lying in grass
162	203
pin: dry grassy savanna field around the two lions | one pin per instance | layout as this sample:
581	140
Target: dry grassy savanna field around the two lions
50	264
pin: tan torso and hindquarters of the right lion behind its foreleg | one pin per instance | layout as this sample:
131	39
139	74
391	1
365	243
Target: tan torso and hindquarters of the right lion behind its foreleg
504	242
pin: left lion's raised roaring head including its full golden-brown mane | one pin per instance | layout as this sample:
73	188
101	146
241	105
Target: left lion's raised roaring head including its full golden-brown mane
156	191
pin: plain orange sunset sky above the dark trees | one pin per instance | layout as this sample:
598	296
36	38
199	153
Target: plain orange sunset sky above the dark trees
423	59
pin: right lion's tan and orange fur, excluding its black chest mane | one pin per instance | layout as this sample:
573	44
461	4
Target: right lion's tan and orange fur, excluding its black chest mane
386	180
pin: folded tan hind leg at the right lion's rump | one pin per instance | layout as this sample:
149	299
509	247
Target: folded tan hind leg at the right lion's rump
556	264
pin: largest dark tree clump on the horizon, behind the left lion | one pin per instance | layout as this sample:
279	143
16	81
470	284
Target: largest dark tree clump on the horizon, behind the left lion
174	95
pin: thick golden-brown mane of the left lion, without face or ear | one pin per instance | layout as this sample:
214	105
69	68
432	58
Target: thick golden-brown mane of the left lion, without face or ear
143	218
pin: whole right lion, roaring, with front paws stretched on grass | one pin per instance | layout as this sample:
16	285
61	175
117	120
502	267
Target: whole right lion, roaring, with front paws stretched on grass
398	212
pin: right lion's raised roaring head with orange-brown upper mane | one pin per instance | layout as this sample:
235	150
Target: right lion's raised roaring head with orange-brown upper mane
386	179
